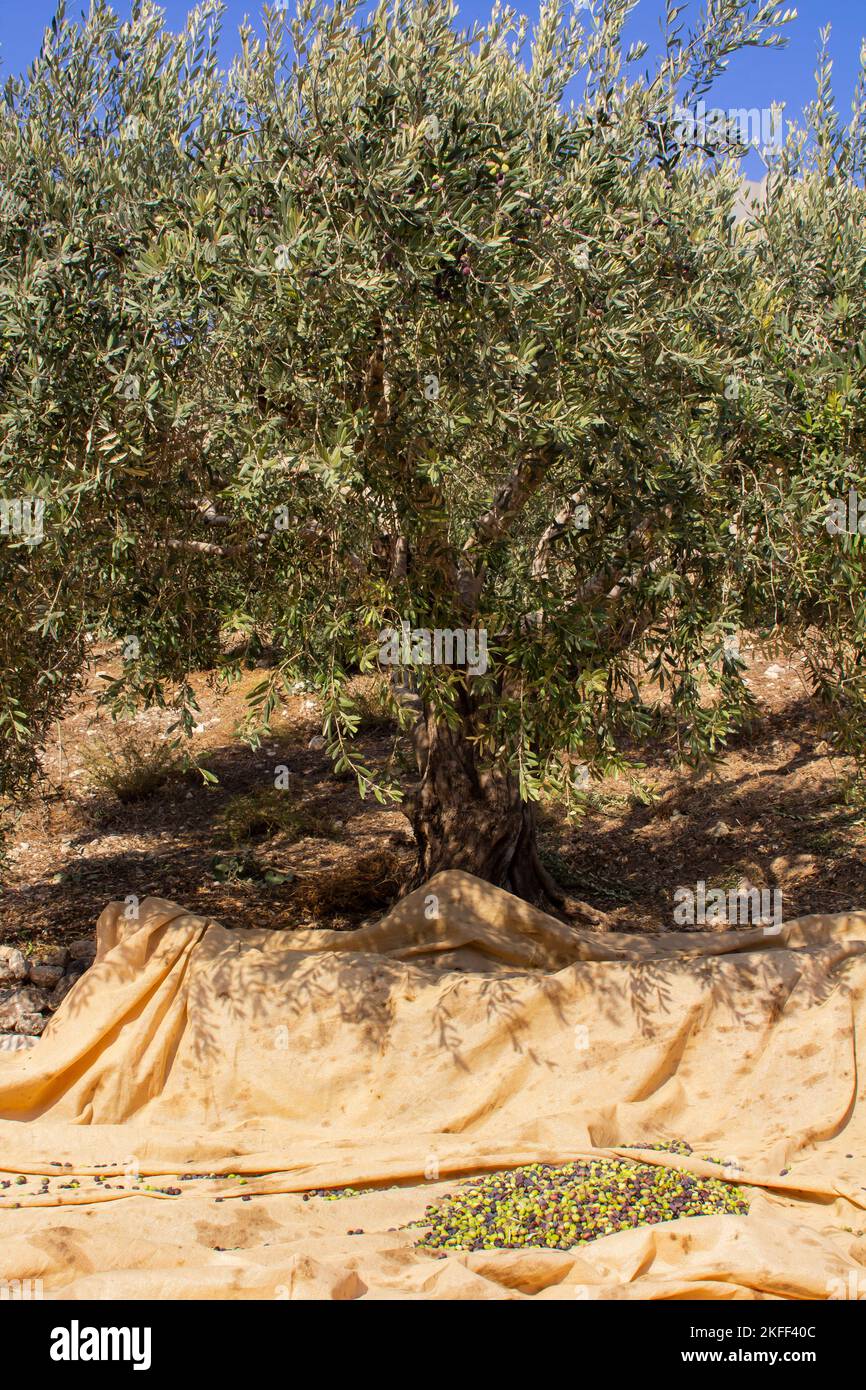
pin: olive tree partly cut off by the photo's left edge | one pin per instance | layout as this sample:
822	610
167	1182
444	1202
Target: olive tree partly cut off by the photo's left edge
94	416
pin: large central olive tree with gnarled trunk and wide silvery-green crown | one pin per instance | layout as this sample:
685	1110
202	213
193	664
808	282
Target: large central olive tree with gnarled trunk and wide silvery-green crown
408	348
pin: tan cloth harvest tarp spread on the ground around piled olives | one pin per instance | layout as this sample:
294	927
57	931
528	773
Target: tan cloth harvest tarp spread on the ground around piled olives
465	1032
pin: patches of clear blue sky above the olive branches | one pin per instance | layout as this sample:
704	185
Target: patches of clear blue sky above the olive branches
755	79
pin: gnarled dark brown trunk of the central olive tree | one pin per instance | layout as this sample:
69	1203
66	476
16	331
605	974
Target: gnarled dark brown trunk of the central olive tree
468	817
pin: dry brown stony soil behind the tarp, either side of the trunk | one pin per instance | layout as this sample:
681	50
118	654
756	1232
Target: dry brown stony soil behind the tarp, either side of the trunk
771	812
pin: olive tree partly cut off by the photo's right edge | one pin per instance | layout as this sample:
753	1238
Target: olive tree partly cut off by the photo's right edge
804	516
